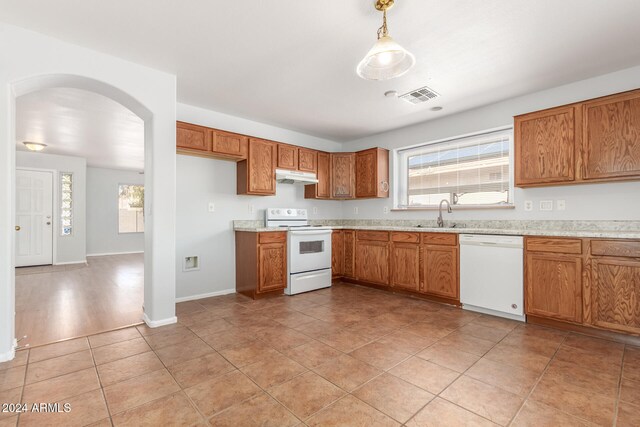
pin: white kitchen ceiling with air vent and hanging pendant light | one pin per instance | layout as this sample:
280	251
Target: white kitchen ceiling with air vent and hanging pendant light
292	63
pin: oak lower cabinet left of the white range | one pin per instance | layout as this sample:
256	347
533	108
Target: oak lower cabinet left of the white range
261	263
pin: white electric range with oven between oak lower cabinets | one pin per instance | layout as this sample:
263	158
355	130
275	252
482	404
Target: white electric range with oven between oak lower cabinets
308	250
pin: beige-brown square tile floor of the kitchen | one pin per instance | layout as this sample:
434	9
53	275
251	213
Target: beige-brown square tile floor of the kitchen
337	357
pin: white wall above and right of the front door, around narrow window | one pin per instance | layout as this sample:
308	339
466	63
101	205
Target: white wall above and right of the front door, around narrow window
69	249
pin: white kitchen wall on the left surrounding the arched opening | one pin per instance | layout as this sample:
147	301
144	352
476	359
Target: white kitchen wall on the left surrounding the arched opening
32	61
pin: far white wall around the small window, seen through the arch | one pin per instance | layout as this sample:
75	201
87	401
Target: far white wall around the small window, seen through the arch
102	212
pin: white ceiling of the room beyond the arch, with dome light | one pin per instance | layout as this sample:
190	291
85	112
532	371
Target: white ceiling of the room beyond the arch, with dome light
76	122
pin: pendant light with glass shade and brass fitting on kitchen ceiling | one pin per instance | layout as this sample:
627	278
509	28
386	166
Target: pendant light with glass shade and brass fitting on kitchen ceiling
386	59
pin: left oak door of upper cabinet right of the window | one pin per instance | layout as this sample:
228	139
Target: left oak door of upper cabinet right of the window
545	144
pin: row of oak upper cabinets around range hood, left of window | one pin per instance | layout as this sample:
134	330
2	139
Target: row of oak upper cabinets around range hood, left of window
341	176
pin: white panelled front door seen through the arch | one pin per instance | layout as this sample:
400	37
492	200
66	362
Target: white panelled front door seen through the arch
34	218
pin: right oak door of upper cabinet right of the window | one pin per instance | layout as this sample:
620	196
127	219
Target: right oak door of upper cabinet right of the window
611	142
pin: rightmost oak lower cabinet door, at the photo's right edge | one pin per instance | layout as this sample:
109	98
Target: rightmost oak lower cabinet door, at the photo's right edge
615	294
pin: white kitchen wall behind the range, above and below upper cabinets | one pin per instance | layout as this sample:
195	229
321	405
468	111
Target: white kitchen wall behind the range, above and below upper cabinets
200	181
